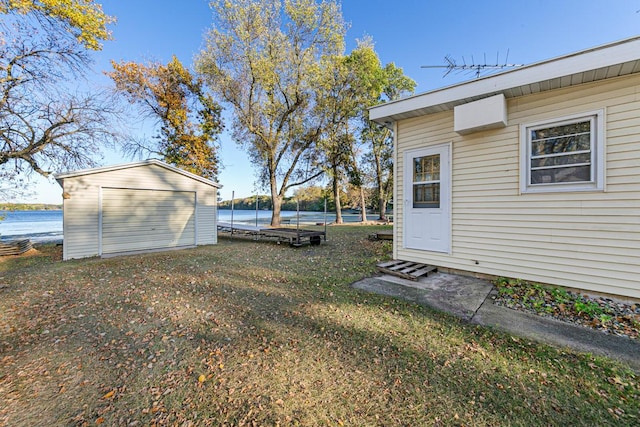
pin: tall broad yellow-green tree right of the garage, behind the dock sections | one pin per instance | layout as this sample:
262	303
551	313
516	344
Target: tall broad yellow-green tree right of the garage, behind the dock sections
262	58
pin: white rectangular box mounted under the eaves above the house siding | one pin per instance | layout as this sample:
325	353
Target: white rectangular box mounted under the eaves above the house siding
487	113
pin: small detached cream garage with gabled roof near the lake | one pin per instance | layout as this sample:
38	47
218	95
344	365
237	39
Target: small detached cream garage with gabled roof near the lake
140	206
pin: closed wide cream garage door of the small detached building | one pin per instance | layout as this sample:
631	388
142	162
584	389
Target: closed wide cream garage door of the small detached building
134	220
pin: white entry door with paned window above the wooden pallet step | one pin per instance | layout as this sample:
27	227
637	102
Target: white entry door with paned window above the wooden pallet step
427	219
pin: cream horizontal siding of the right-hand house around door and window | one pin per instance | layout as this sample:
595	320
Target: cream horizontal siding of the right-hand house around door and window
585	240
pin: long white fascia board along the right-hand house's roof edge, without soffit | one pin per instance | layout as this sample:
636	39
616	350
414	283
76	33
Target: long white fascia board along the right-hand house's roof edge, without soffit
587	60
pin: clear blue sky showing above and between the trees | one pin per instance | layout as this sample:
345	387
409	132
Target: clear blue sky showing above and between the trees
410	33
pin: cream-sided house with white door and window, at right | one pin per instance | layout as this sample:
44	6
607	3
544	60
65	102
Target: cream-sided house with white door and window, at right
533	173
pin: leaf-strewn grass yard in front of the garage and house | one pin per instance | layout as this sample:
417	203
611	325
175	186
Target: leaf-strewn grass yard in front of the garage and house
254	333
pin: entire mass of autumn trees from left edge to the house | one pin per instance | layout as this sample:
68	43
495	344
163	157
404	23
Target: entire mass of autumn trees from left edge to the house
297	101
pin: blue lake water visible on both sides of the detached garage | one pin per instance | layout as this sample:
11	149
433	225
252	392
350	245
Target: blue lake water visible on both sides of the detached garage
46	226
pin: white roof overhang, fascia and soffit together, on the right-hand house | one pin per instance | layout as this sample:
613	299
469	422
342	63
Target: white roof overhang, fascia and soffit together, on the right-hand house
590	65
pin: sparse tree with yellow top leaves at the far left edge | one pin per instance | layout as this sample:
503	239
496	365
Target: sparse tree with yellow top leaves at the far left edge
46	124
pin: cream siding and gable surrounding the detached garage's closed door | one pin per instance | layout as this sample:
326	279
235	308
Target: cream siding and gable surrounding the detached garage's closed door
81	210
